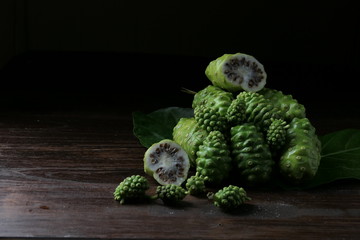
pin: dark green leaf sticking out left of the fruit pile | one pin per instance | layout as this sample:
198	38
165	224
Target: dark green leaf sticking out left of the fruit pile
158	125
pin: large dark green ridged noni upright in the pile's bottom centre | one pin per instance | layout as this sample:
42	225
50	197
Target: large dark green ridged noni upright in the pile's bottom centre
251	154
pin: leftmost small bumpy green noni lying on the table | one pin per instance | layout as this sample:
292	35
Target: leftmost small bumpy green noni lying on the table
131	189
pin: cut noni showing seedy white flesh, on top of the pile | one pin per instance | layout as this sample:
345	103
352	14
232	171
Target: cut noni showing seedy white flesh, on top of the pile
235	72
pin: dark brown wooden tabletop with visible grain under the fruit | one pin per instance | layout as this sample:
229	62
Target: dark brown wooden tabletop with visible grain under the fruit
58	172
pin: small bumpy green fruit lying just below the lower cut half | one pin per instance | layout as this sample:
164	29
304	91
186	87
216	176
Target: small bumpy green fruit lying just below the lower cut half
170	194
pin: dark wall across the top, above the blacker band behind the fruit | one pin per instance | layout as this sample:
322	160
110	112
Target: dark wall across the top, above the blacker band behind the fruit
316	31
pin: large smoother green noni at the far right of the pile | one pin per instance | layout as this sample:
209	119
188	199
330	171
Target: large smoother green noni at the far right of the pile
301	158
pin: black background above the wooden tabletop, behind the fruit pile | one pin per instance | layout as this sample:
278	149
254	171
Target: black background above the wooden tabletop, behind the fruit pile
98	55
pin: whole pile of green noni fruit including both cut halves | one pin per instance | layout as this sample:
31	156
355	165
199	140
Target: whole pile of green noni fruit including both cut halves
240	131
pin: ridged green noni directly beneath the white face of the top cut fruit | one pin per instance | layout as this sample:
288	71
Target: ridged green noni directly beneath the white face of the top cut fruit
259	110
